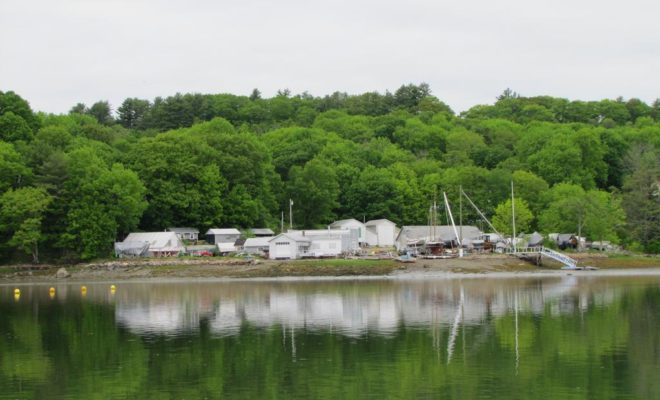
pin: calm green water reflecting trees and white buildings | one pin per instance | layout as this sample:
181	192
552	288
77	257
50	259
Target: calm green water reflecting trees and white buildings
541	338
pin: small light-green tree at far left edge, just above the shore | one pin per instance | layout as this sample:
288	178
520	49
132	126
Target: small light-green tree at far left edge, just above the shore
21	215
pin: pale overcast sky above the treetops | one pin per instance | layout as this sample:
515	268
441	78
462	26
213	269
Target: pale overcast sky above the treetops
55	53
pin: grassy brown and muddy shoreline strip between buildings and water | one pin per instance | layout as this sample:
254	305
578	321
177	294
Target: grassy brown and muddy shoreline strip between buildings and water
233	269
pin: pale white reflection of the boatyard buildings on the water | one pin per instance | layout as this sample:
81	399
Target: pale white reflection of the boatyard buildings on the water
349	308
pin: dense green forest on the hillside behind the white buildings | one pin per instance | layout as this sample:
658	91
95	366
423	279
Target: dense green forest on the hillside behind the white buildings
72	184
